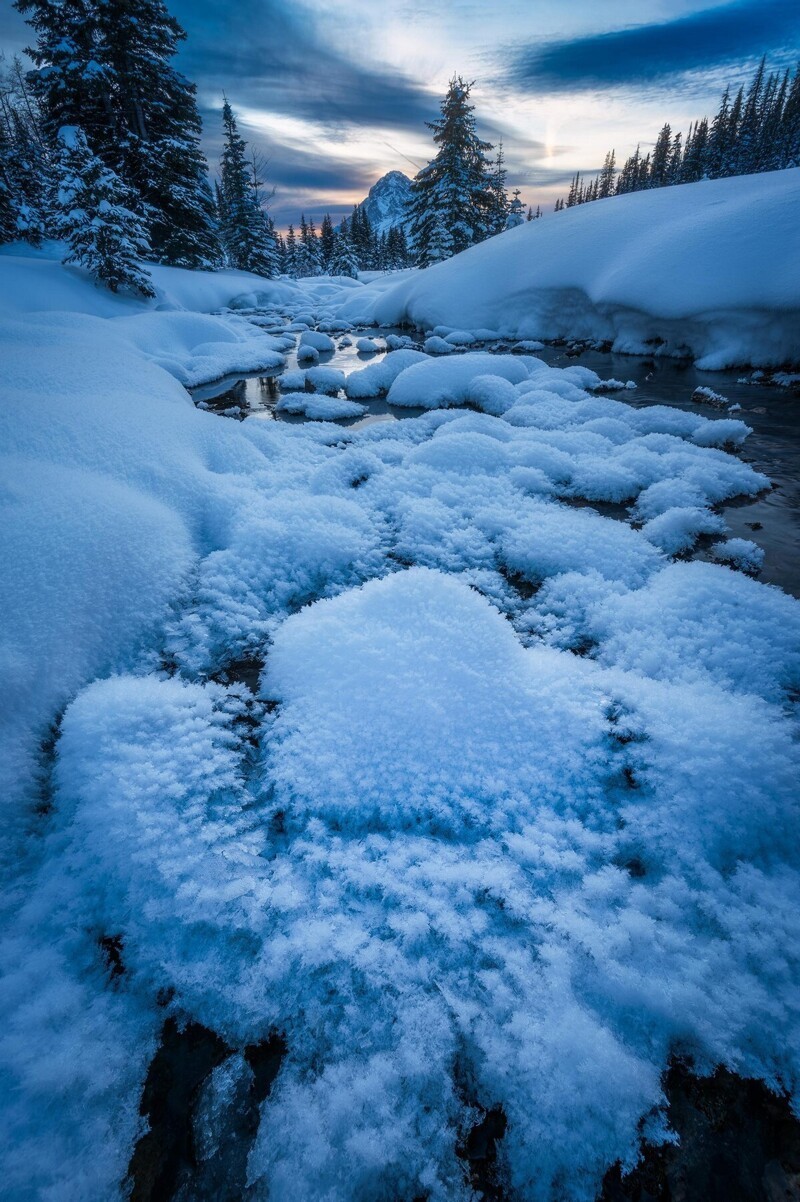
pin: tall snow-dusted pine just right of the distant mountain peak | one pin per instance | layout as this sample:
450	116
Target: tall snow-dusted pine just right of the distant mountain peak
451	198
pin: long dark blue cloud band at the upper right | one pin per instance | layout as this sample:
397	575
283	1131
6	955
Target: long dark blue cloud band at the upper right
698	40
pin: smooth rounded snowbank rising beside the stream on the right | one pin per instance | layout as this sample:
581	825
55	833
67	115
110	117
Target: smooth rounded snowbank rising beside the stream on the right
709	270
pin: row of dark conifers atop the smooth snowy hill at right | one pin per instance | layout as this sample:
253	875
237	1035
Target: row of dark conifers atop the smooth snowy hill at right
759	130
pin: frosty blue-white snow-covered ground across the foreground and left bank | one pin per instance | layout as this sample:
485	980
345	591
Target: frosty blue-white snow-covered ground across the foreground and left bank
511	819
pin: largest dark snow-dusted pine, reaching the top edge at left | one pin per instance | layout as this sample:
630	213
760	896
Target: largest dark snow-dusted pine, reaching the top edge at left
106	68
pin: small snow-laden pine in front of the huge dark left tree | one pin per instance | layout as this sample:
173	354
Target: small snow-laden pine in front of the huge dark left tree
94	218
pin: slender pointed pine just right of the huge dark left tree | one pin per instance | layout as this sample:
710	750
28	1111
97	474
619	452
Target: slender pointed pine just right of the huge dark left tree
247	234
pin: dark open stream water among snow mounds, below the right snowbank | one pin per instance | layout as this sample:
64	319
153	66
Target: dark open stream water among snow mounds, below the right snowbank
773	520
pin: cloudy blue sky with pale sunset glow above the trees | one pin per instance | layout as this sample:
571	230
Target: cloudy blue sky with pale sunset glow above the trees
336	93
